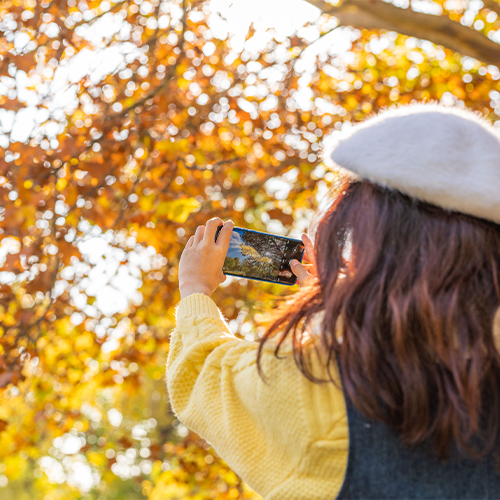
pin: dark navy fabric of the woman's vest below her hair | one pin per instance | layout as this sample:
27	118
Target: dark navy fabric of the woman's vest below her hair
380	467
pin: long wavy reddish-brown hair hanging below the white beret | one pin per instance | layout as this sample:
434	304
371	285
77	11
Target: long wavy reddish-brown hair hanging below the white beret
409	293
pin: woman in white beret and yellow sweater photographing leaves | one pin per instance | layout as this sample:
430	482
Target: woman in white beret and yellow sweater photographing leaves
380	379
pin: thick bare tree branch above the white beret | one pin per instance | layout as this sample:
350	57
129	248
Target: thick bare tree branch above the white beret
441	30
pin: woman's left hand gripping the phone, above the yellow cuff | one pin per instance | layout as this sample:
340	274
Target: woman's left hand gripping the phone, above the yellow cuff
200	268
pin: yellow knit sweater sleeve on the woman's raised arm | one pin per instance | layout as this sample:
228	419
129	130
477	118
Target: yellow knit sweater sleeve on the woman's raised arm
287	438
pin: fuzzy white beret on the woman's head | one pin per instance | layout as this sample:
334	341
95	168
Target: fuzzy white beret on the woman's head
445	156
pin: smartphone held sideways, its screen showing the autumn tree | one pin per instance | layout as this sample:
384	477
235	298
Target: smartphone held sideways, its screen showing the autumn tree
261	256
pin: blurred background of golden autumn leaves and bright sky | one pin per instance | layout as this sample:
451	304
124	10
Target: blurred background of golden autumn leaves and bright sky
123	126
